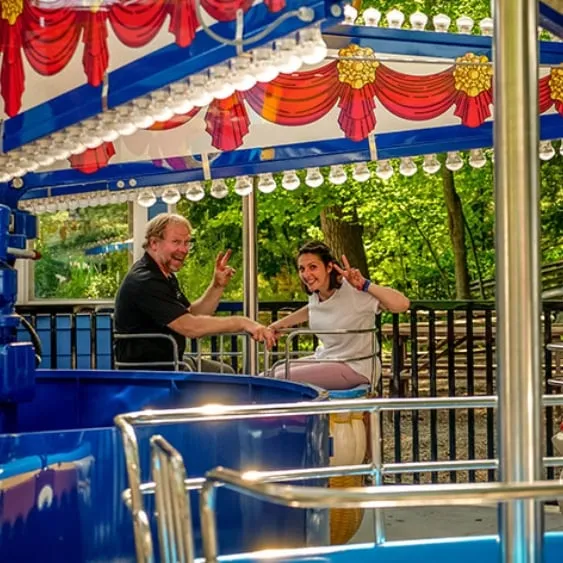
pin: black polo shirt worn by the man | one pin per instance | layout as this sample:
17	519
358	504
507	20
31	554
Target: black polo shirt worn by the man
147	302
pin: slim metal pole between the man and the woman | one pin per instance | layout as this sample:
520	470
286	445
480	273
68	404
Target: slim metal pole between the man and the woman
250	266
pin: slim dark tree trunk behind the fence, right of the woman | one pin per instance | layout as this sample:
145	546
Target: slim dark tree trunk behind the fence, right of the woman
457	234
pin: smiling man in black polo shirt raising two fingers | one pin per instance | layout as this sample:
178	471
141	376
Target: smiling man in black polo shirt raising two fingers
150	301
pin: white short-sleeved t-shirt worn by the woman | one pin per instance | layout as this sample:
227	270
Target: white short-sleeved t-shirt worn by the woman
347	308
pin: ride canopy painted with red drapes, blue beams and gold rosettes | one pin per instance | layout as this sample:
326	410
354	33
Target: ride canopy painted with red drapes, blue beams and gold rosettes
132	110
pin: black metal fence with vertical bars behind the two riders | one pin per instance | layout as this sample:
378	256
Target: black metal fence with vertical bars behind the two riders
436	349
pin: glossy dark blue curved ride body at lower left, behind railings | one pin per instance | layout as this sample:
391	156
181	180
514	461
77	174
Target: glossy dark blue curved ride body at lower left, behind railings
87	521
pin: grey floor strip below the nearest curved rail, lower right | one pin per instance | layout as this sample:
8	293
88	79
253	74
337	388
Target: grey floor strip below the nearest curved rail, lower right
436	522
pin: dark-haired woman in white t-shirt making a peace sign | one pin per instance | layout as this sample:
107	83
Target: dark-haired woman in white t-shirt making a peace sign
339	298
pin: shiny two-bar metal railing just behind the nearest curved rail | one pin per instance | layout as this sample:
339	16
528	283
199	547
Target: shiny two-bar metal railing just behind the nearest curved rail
375	407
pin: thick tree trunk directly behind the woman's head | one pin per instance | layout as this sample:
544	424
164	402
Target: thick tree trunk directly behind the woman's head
344	236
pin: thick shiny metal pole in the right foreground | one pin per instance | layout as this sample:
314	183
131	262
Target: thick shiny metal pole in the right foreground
518	288
